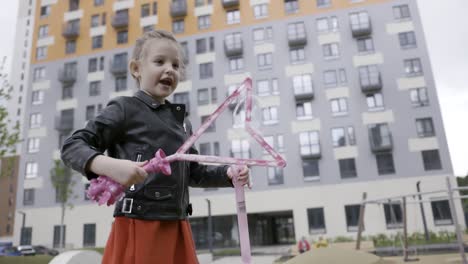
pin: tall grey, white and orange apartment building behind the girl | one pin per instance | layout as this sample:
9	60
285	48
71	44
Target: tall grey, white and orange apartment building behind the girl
344	91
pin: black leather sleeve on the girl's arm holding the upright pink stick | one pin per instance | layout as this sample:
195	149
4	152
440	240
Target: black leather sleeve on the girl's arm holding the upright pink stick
207	176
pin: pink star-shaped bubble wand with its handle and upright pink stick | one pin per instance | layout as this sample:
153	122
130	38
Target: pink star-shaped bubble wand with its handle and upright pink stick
105	190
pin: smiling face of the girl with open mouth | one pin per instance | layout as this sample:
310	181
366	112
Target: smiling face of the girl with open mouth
158	70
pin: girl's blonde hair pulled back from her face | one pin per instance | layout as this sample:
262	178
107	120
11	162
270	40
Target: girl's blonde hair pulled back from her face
139	50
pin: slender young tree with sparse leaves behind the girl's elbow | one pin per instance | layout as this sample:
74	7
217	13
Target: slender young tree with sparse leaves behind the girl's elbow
62	181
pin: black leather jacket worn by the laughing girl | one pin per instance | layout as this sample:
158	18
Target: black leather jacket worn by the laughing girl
134	128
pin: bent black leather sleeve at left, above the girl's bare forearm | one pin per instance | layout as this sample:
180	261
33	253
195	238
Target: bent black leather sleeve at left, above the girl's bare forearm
98	135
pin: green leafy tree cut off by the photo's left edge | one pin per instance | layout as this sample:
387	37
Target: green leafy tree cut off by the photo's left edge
9	136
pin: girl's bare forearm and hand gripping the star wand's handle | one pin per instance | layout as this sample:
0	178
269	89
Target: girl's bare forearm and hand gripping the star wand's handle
125	172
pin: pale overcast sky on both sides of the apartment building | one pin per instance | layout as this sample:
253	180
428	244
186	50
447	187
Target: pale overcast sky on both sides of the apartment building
446	31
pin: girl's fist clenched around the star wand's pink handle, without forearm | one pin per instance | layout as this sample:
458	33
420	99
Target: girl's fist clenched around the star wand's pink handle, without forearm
127	172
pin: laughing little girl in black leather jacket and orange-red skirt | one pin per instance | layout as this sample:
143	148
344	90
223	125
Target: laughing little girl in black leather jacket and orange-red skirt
151	223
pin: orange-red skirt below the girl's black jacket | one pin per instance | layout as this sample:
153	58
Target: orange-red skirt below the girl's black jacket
134	241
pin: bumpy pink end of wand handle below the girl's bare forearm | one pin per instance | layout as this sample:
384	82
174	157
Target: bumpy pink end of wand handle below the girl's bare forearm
105	190
